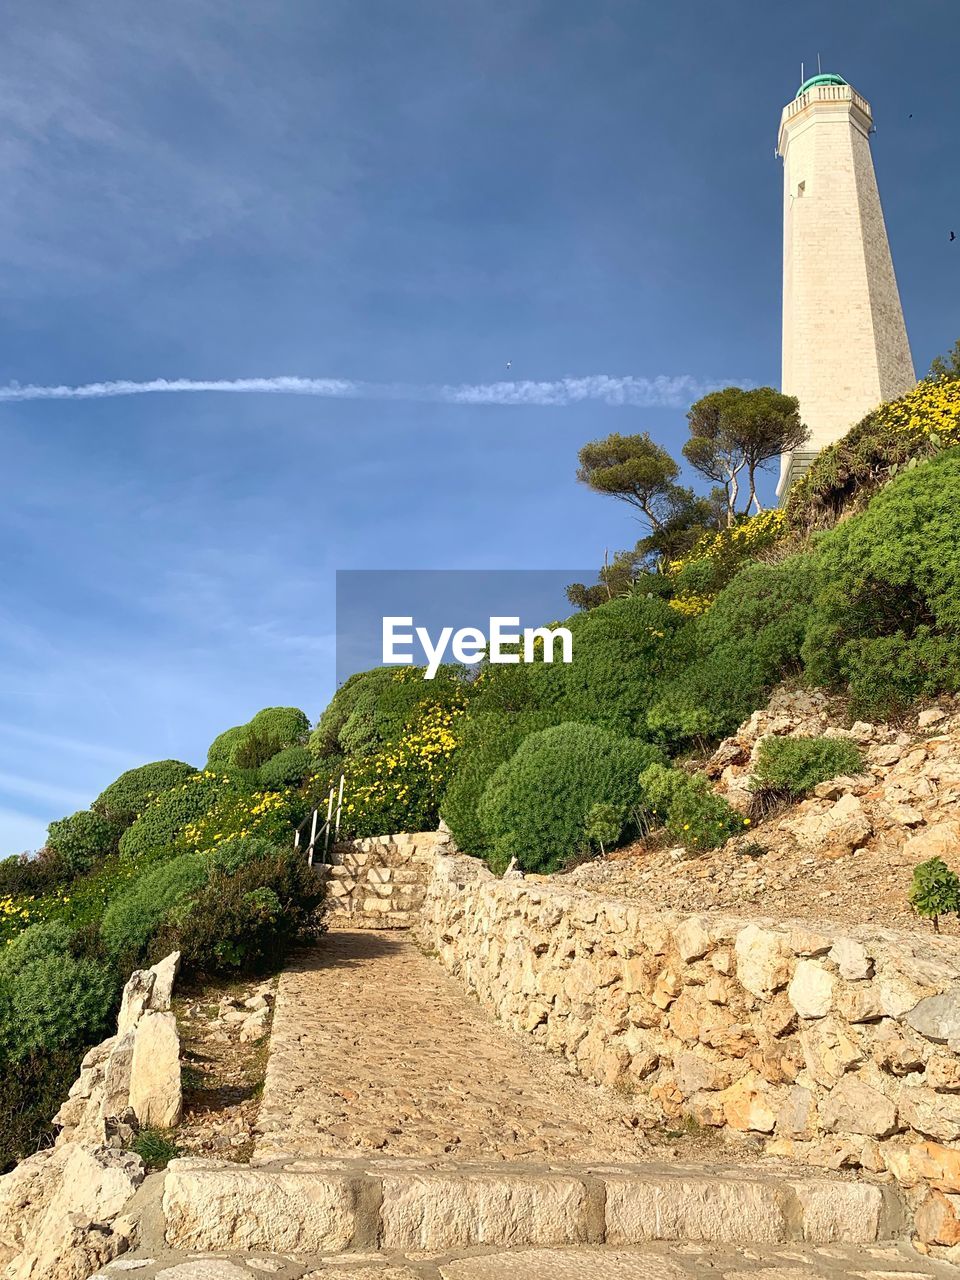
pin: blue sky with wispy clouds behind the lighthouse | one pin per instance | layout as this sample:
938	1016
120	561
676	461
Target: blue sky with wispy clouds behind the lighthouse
385	193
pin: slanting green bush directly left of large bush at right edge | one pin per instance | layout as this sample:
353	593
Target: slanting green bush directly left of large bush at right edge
749	641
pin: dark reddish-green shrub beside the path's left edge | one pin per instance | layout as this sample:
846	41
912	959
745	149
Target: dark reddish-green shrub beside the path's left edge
246	921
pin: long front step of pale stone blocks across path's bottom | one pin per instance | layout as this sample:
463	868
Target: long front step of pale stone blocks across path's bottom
310	1206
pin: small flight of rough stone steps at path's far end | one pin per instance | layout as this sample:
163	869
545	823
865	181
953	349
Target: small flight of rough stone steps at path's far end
380	883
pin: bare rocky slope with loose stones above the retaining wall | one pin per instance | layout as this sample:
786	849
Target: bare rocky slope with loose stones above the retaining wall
847	853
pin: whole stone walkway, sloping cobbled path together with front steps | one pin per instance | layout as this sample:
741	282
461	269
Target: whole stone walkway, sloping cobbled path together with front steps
405	1135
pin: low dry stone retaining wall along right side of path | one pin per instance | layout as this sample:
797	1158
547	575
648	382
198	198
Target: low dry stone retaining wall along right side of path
842	1049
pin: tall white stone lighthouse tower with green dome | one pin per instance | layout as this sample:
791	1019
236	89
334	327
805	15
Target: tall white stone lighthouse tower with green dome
845	346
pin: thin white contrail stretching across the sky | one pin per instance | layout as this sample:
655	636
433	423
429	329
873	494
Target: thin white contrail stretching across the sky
660	392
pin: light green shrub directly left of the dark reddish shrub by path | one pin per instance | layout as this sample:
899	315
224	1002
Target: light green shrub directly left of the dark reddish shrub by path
135	916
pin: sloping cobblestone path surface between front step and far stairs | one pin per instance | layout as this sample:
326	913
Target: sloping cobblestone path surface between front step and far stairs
374	1049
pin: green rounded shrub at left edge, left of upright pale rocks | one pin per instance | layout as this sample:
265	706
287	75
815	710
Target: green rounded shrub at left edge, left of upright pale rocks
49	999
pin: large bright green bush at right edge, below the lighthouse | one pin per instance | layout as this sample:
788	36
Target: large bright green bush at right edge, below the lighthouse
886	623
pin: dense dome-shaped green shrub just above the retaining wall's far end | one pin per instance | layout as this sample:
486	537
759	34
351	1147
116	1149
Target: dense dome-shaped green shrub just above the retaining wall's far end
537	804
